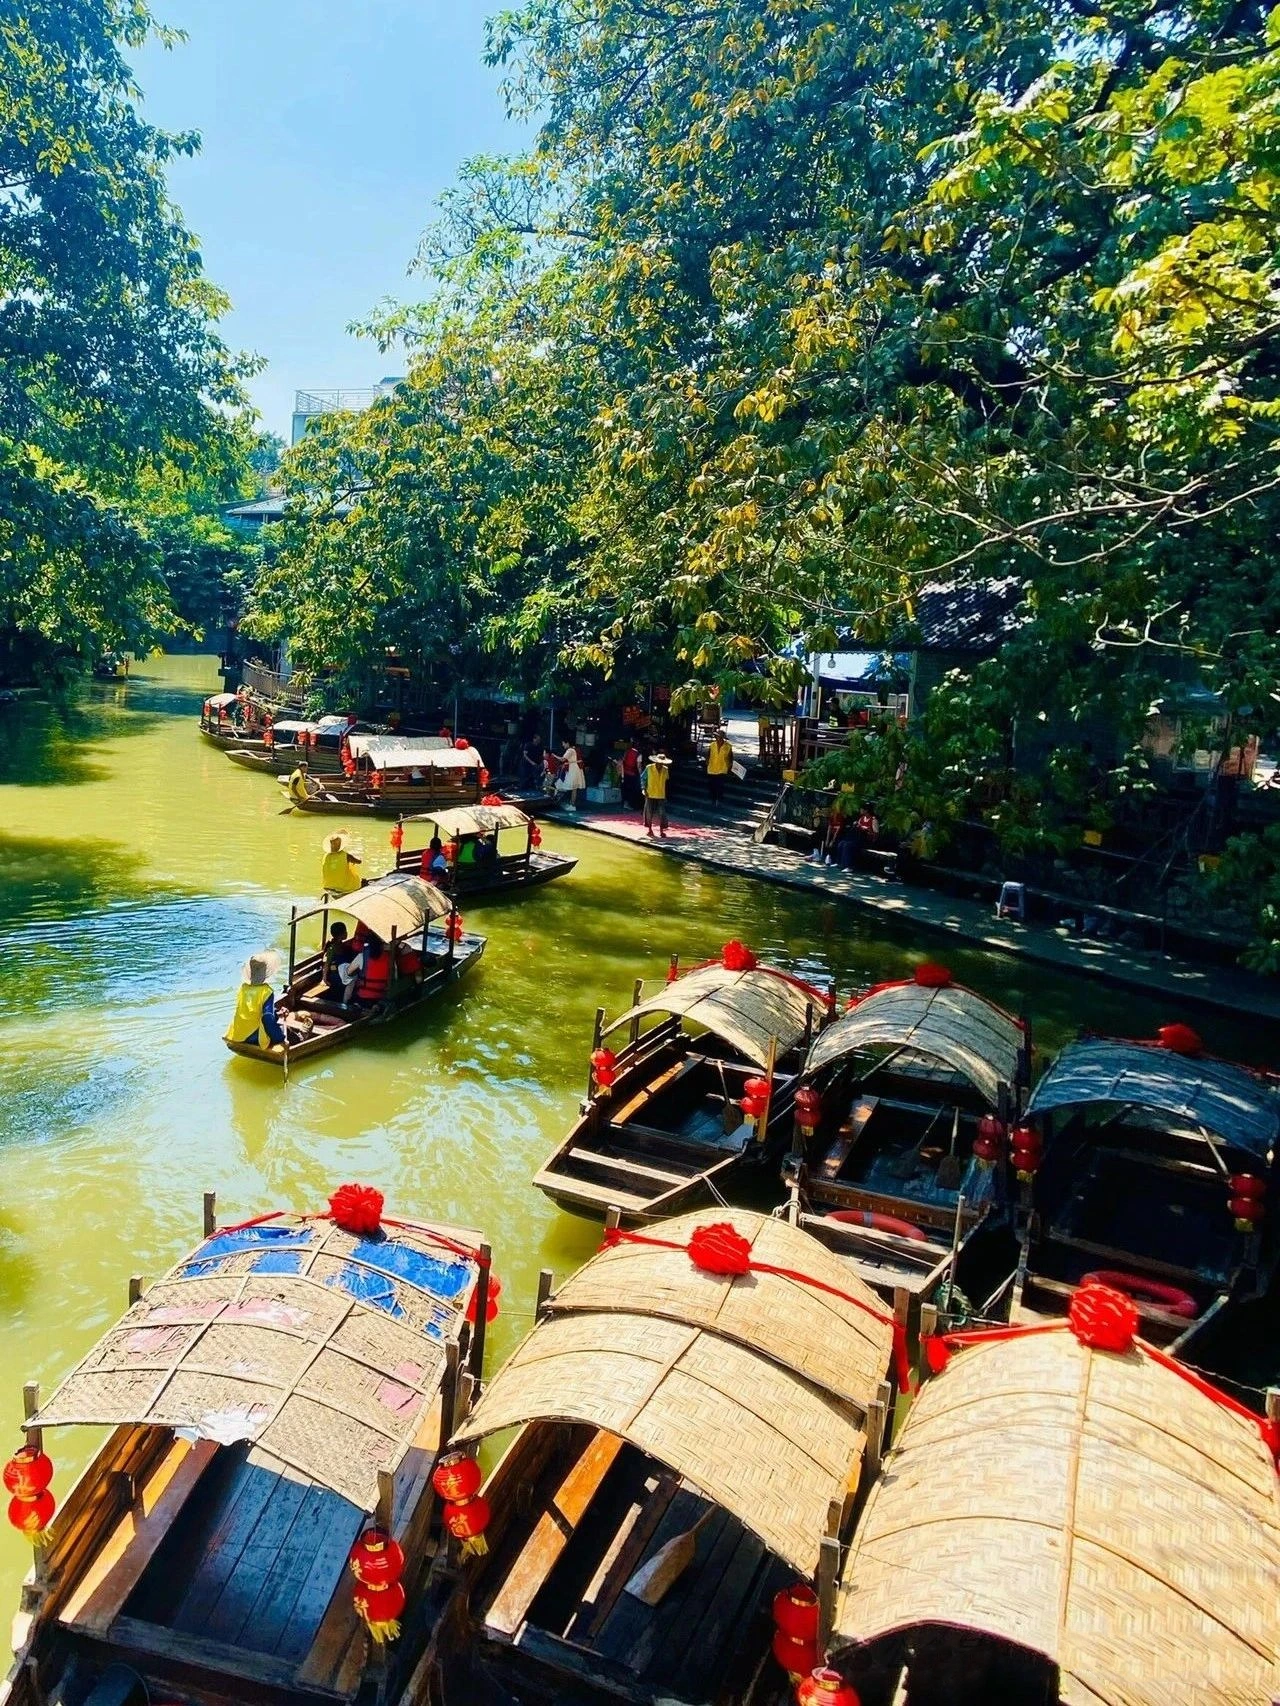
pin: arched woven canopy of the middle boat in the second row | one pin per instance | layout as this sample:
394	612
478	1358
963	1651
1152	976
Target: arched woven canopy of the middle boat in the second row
951	1024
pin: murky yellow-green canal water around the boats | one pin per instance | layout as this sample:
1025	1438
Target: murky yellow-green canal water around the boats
137	871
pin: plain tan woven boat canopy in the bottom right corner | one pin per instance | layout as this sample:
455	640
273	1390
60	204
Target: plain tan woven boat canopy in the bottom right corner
1090	1507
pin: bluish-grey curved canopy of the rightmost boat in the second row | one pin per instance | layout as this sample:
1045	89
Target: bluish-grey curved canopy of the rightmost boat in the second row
1207	1094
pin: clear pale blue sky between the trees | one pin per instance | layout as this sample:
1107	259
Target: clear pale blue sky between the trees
330	127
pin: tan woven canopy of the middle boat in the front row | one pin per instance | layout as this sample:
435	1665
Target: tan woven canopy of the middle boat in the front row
755	1388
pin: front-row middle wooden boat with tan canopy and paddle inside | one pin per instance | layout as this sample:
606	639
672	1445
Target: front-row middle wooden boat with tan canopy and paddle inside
658	1400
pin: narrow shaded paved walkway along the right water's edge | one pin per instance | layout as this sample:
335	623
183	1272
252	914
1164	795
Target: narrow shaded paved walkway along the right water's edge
974	922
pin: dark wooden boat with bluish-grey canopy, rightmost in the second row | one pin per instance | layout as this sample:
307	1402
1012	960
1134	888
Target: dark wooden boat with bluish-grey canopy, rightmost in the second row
1151	1161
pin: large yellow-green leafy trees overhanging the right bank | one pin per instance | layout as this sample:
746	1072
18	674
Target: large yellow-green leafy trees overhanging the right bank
791	315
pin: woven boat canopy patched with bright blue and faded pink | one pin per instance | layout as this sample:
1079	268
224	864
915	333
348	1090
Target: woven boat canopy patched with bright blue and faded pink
323	1349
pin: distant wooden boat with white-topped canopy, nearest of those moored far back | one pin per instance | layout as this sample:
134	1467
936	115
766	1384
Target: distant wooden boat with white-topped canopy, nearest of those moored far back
400	775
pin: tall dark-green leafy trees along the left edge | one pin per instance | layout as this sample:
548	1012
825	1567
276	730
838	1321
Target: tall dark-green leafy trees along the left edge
122	417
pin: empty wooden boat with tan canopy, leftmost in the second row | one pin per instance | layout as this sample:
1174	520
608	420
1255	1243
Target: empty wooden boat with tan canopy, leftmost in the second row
663	1123
